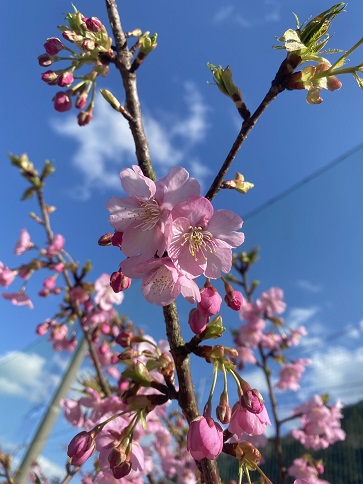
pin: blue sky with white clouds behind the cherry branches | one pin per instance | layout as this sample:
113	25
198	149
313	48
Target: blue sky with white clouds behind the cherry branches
310	240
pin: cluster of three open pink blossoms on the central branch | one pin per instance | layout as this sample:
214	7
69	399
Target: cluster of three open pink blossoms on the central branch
171	235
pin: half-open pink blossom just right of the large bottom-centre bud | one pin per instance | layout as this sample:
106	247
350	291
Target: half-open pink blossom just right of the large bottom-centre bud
243	421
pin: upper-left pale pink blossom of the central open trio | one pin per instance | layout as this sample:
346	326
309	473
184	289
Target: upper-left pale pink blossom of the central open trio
141	217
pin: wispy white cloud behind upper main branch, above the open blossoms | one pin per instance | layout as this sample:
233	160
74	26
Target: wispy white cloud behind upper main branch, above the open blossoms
106	145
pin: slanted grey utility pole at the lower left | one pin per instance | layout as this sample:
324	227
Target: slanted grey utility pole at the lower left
51	415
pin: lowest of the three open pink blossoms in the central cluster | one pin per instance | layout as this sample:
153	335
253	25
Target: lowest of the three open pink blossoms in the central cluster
162	282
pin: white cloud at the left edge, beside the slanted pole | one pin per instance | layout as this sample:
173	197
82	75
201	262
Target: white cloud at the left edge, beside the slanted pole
26	375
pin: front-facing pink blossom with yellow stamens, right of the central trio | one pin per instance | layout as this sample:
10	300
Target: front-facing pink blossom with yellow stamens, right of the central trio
200	240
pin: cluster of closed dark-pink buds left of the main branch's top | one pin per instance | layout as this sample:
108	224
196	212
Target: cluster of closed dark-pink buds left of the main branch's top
89	35
